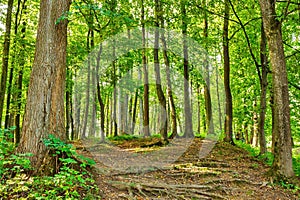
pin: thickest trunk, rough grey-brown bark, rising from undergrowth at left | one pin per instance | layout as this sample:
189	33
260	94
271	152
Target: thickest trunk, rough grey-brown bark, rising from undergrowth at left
44	113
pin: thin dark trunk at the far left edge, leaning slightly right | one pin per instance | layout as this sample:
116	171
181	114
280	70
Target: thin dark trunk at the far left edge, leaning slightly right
5	56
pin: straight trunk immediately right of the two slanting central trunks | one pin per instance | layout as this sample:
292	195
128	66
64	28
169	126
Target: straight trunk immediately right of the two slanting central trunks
188	126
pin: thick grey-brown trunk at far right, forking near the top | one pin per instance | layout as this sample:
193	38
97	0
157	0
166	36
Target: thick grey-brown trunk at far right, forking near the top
282	165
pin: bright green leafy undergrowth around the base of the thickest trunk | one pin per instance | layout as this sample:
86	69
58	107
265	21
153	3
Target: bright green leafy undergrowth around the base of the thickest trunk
72	179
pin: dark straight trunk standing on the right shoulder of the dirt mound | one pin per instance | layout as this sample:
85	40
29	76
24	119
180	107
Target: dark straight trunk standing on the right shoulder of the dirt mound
228	117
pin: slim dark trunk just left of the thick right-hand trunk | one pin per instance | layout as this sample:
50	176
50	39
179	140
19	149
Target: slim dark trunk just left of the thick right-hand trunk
263	95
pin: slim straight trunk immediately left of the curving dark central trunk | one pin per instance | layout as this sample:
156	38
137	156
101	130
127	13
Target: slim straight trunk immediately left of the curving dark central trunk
146	81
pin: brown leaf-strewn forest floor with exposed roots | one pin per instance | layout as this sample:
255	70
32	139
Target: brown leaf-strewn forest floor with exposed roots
226	172
